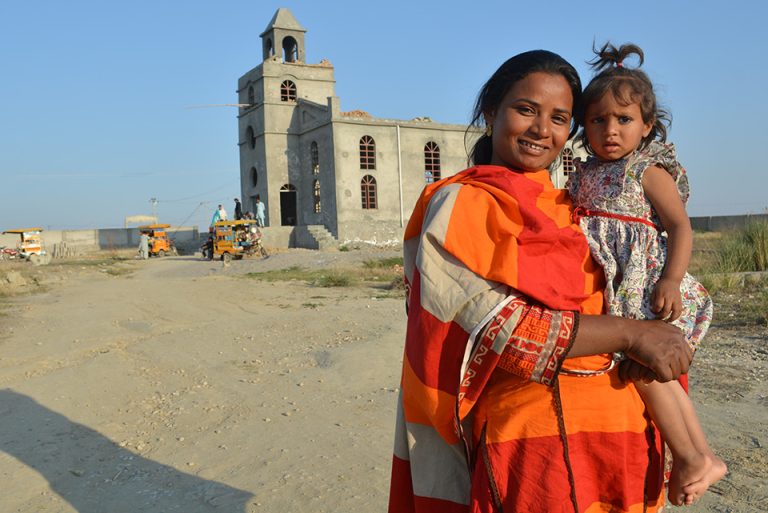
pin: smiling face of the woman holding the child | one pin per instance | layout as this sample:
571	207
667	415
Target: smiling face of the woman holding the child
532	122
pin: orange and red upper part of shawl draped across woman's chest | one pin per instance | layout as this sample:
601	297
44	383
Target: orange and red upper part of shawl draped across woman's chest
516	228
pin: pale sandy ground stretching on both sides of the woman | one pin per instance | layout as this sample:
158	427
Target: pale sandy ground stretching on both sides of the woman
184	386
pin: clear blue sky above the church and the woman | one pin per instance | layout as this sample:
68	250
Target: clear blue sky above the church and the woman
95	96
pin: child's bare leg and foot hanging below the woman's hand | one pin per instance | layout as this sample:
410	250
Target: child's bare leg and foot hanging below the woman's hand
694	466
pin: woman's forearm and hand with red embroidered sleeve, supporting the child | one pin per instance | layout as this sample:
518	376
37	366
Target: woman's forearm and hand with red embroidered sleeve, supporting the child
534	340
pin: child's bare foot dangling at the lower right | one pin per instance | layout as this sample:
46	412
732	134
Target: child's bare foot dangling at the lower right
691	477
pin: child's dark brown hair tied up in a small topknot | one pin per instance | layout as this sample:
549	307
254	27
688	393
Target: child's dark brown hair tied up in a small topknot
628	86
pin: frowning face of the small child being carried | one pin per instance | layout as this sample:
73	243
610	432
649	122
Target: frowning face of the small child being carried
614	130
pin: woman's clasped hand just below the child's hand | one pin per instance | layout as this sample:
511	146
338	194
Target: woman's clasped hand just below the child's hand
661	348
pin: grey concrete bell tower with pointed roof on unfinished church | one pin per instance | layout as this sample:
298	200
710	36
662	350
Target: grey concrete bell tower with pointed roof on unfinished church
281	99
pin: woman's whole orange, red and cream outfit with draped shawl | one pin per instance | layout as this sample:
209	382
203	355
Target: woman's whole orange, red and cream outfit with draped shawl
491	247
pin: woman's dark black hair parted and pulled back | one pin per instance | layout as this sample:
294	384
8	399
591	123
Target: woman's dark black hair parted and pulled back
508	74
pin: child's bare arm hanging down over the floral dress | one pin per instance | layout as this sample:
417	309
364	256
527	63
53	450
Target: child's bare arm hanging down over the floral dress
661	190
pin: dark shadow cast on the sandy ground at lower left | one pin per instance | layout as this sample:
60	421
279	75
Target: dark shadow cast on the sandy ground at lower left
94	474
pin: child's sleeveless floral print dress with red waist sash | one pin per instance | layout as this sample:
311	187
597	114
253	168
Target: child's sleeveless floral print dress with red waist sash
632	252
